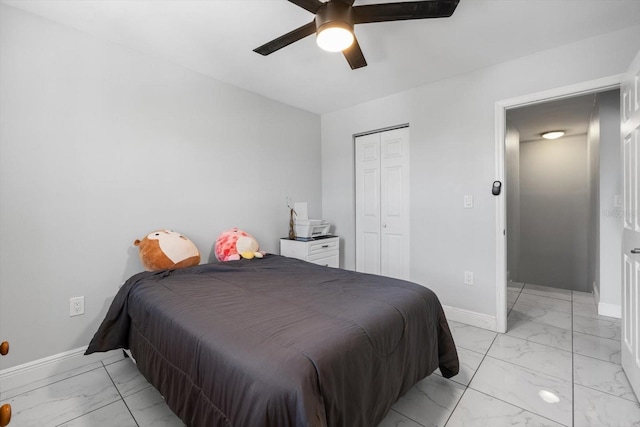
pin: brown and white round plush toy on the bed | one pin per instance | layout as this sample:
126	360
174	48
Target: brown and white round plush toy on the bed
166	249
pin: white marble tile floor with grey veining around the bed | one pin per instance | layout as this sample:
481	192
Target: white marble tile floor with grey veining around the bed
557	365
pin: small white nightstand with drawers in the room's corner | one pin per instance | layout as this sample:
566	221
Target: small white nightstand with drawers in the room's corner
321	250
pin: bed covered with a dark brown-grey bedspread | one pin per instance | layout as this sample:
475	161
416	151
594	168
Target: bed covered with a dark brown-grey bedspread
278	342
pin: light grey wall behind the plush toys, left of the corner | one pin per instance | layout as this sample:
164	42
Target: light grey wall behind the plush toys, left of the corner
100	145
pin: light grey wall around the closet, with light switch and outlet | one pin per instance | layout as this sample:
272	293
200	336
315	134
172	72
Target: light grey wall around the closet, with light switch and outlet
453	154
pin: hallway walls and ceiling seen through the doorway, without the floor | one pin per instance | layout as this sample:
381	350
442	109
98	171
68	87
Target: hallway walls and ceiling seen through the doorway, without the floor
562	193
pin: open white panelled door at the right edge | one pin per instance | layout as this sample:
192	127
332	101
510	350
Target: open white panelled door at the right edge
630	132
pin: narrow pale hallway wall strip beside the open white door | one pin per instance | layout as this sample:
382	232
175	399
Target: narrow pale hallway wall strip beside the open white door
610	218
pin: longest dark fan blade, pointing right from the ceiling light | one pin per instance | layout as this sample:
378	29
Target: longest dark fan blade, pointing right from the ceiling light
403	11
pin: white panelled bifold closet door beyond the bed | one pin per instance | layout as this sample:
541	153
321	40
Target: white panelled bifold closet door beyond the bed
382	203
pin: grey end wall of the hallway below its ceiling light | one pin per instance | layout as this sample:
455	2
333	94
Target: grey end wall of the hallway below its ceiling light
554	206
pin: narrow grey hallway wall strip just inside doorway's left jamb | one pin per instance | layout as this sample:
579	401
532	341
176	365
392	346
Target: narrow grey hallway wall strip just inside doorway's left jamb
512	193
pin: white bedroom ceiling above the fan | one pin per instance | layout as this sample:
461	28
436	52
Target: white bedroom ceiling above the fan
216	38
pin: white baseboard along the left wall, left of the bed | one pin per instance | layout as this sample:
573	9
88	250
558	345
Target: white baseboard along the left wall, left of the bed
27	373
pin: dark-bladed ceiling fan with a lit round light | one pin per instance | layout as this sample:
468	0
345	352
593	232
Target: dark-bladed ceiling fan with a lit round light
335	19
